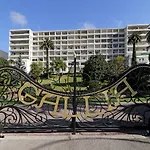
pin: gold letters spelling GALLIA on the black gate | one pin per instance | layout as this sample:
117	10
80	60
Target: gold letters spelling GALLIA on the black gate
57	98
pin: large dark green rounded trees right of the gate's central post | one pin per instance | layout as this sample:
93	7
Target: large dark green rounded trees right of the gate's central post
97	72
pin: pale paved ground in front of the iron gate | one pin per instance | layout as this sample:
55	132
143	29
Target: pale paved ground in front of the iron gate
67	141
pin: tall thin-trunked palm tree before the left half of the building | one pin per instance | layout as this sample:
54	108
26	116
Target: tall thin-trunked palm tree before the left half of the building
47	45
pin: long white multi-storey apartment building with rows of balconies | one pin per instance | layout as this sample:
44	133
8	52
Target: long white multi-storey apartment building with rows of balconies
108	42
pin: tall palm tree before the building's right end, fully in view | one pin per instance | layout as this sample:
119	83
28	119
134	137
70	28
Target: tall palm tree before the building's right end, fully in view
133	39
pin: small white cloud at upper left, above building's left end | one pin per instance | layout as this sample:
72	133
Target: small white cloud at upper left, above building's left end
18	18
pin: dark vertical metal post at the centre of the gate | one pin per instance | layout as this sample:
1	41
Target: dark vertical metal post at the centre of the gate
74	98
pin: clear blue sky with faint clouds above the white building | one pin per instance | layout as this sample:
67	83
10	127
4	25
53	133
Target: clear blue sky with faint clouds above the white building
69	14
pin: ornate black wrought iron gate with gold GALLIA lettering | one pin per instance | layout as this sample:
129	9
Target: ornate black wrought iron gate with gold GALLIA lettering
26	105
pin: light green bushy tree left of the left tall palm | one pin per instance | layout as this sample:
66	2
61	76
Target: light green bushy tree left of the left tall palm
36	70
